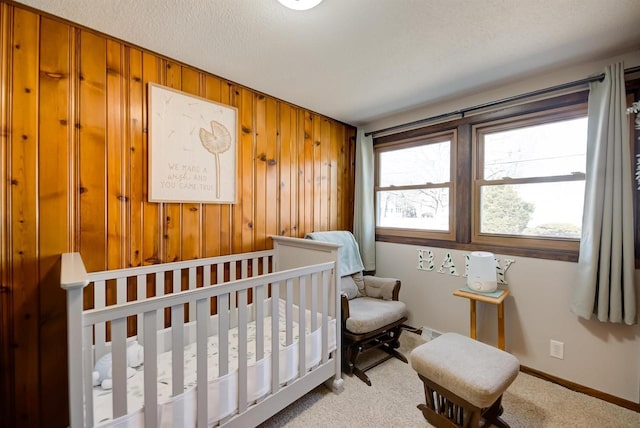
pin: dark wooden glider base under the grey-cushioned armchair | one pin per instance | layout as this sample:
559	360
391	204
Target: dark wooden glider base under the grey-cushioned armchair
355	345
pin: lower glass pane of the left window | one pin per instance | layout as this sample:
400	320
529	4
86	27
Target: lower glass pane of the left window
425	209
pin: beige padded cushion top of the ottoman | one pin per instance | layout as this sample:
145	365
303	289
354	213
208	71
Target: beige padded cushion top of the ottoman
472	370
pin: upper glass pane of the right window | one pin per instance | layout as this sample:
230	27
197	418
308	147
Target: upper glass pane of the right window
557	148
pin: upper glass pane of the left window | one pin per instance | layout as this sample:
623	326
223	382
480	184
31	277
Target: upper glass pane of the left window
429	163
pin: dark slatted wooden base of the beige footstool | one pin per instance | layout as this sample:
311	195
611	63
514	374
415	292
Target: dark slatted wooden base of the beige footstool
445	409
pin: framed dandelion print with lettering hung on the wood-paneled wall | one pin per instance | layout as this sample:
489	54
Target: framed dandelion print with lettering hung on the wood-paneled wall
192	148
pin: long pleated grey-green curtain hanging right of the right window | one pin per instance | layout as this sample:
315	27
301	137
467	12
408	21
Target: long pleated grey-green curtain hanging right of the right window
604	286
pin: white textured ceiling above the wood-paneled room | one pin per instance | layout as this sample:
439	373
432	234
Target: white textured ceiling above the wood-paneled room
361	60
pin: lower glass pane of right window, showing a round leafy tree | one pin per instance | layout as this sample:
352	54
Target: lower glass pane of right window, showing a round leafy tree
537	209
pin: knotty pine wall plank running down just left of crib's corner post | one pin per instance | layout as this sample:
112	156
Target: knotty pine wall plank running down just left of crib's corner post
55	188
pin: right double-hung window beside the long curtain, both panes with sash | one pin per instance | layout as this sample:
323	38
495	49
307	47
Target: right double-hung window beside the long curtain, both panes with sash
528	186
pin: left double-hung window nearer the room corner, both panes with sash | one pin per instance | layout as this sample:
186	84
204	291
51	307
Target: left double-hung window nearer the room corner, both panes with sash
414	187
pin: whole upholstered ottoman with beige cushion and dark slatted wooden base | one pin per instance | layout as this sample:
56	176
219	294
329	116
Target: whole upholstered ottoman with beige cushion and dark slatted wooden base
463	381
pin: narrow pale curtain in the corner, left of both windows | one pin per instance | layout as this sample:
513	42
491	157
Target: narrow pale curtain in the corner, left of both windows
364	218
